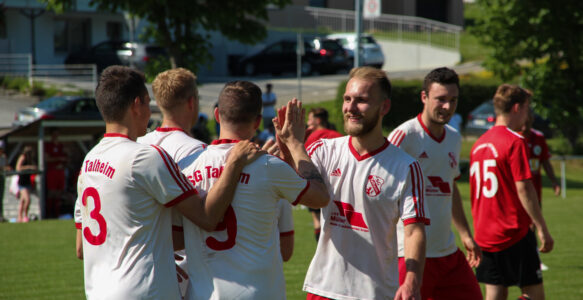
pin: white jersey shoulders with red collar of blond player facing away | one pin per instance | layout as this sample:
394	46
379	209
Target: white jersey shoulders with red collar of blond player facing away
174	140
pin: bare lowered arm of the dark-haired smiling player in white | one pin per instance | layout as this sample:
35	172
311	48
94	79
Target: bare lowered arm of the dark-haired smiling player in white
473	251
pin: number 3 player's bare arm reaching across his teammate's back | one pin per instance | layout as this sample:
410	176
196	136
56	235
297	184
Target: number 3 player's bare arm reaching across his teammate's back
208	212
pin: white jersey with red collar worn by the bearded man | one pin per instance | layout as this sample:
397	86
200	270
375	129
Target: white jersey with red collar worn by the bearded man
356	257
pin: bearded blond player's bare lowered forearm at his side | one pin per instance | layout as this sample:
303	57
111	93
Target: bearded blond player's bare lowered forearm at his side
414	240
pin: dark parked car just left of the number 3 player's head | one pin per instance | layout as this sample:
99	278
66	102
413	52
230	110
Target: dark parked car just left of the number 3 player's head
60	108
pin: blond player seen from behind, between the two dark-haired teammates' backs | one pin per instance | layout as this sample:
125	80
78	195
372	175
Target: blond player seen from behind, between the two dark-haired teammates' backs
177	97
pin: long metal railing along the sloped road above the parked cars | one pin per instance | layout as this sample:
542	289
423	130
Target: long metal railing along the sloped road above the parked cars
395	27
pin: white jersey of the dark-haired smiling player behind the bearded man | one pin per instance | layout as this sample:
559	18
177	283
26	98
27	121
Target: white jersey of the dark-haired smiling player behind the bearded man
439	161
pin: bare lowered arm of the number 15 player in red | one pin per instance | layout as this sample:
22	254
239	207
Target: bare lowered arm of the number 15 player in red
528	199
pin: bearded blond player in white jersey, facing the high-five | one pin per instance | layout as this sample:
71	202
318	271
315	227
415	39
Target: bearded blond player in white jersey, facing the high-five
373	184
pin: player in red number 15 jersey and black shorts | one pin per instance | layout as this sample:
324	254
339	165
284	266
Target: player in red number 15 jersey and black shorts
504	202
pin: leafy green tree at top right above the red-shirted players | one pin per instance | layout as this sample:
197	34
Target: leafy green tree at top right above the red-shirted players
540	41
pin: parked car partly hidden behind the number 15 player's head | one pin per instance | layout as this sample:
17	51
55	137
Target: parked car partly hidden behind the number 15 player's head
483	118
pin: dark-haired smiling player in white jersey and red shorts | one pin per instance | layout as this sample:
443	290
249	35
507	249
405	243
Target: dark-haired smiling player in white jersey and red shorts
436	145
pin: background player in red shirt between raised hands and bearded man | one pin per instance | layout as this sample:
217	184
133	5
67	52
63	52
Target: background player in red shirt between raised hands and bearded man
318	128
